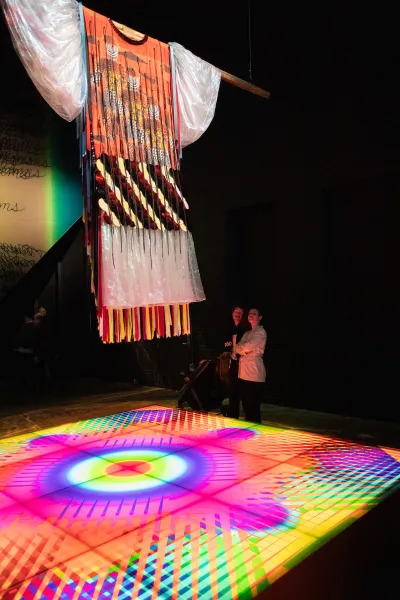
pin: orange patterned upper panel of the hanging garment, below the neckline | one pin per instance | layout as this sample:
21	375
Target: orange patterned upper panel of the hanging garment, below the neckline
130	100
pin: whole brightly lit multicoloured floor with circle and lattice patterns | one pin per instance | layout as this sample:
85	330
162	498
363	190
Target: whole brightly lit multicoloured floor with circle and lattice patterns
161	503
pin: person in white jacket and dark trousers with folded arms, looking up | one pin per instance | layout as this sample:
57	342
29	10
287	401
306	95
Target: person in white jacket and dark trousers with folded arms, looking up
252	372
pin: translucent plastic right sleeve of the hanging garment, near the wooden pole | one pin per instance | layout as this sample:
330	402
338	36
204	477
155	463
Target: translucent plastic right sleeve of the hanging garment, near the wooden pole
197	85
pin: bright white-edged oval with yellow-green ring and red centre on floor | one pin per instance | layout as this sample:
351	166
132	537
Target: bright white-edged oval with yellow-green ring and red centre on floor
127	471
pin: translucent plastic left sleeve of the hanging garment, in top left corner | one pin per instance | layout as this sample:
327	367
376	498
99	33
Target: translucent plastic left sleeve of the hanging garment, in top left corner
47	37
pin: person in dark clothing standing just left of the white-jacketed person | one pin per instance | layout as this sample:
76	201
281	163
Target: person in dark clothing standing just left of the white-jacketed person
236	331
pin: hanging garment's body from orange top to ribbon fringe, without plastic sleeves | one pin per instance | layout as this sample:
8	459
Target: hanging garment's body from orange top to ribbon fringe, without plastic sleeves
143	259
